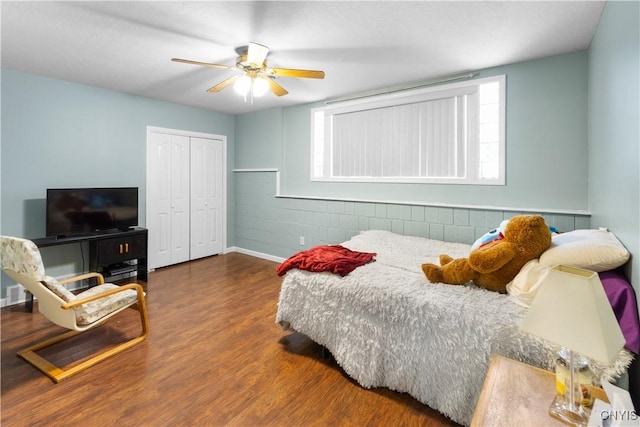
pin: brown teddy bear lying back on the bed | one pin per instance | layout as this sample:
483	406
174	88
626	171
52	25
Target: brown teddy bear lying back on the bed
496	263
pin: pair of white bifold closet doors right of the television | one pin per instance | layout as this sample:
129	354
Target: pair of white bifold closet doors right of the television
184	198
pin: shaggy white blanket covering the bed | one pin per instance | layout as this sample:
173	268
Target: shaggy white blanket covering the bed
387	326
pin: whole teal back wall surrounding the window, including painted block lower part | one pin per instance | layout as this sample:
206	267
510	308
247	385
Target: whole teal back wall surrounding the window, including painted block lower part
546	145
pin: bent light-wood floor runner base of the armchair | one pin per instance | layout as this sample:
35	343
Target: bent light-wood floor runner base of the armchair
58	374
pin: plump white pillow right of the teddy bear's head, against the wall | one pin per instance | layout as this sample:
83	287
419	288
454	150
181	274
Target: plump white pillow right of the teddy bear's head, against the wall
595	250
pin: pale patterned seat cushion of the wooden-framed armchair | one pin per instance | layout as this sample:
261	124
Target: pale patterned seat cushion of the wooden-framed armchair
95	310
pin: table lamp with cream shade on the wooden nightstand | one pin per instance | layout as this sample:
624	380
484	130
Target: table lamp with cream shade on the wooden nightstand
572	310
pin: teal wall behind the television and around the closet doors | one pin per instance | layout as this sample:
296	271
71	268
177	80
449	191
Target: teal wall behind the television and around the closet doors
62	134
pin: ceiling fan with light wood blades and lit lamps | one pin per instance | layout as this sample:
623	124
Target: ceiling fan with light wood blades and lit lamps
256	78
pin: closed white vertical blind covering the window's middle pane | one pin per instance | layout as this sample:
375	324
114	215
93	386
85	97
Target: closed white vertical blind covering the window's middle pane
420	139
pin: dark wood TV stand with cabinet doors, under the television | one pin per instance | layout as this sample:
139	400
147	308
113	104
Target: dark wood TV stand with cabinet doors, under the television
109	251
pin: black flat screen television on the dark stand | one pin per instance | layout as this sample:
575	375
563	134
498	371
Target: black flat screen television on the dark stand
82	211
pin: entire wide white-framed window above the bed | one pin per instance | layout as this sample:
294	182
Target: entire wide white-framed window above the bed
446	134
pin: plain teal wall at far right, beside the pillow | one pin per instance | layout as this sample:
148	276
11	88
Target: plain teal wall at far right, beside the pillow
614	135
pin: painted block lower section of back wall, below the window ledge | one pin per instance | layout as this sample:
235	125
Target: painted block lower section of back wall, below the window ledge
273	225
